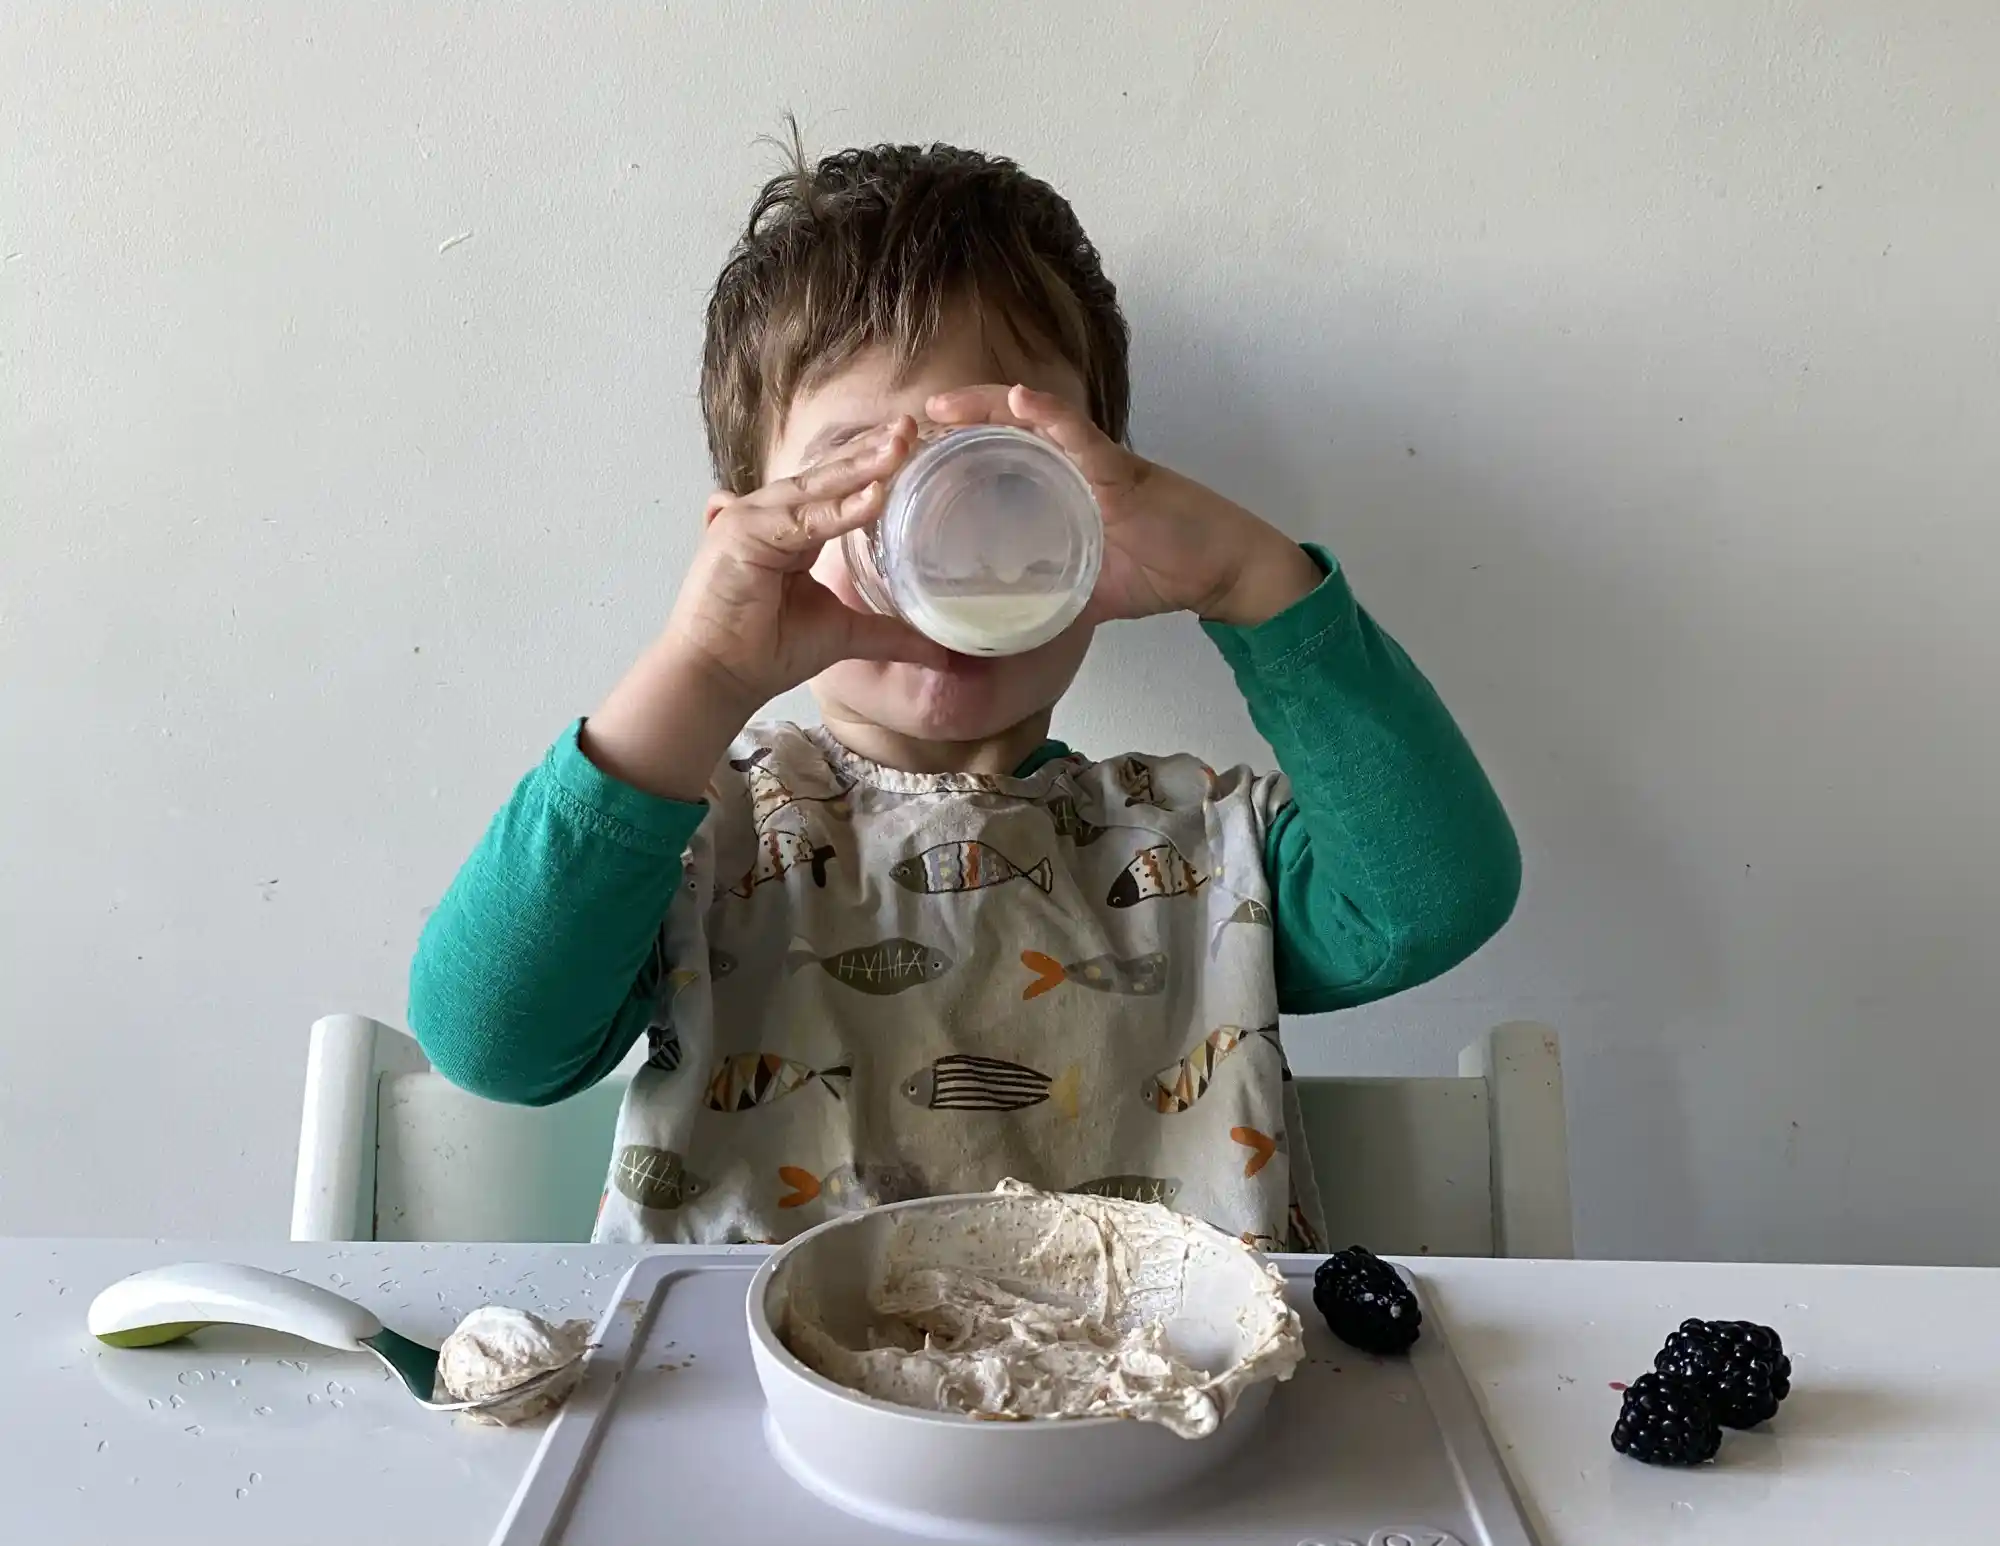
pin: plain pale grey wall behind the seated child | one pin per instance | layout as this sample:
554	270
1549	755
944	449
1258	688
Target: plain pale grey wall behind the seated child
1643	363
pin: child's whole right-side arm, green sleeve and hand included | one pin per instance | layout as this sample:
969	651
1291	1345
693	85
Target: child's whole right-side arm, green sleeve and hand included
1395	859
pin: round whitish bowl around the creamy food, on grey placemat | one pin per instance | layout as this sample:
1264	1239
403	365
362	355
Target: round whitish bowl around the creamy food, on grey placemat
919	1471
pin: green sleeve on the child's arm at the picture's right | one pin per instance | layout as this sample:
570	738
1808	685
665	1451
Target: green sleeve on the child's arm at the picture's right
1393	861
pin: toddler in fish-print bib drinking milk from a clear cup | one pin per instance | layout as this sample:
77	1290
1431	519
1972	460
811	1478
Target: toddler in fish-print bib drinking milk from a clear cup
921	945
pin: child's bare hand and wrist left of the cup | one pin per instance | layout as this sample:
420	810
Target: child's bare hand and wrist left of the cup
753	623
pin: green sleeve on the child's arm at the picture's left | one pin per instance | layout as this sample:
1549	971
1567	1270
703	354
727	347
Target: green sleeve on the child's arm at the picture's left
535	975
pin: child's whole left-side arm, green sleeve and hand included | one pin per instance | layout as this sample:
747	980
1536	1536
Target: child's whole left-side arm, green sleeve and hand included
535	975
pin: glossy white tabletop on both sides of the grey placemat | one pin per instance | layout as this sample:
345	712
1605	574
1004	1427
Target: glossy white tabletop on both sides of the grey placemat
1893	1431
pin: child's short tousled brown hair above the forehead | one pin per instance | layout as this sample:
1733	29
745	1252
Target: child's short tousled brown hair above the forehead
877	247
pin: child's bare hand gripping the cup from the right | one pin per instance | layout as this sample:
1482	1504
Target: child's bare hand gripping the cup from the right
1171	545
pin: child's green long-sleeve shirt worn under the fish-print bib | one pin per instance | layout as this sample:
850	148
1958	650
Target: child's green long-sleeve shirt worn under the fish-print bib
1391	865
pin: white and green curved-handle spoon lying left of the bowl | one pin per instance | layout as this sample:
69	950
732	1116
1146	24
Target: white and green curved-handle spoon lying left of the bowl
169	1303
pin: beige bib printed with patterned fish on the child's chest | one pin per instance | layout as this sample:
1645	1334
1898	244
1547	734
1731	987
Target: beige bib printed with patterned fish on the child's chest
879	985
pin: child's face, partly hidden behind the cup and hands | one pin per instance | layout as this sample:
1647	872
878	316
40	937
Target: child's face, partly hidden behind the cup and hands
973	697
